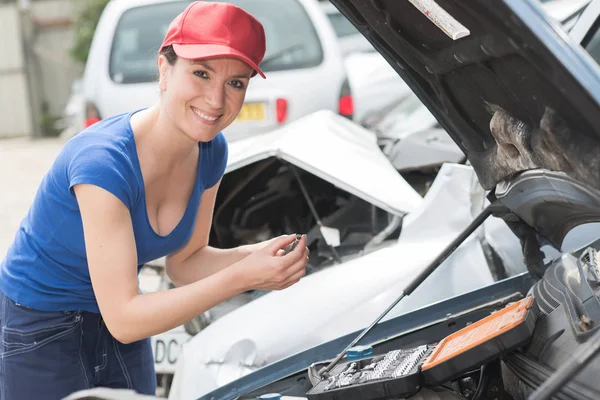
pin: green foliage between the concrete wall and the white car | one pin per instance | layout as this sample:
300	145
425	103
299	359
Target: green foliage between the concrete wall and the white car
85	27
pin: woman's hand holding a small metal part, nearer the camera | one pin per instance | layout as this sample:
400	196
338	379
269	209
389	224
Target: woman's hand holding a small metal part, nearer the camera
269	269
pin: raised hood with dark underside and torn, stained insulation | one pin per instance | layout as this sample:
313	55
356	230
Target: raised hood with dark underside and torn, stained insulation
508	85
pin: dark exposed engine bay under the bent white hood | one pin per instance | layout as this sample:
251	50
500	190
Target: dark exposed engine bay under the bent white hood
272	197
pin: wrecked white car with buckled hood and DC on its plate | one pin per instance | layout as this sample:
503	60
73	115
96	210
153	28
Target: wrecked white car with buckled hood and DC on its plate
338	193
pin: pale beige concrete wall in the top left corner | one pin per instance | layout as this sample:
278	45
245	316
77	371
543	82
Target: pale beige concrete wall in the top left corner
39	69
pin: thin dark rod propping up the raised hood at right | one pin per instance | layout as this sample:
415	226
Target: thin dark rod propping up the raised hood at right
485	213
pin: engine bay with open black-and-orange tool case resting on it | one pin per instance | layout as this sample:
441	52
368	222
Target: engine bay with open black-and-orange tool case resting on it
532	346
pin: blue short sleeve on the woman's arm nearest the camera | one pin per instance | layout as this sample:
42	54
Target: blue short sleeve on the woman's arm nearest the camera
106	167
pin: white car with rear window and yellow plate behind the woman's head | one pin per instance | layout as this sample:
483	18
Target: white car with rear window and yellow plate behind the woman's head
302	47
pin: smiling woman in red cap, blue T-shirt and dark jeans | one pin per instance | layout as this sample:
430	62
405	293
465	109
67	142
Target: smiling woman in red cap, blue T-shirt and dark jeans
128	190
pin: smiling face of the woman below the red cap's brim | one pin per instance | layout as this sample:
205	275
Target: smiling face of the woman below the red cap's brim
202	97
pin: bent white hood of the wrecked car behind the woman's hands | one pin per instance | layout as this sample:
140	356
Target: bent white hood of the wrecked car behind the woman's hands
337	150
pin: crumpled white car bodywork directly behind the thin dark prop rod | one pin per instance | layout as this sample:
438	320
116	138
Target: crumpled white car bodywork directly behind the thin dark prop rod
317	309
